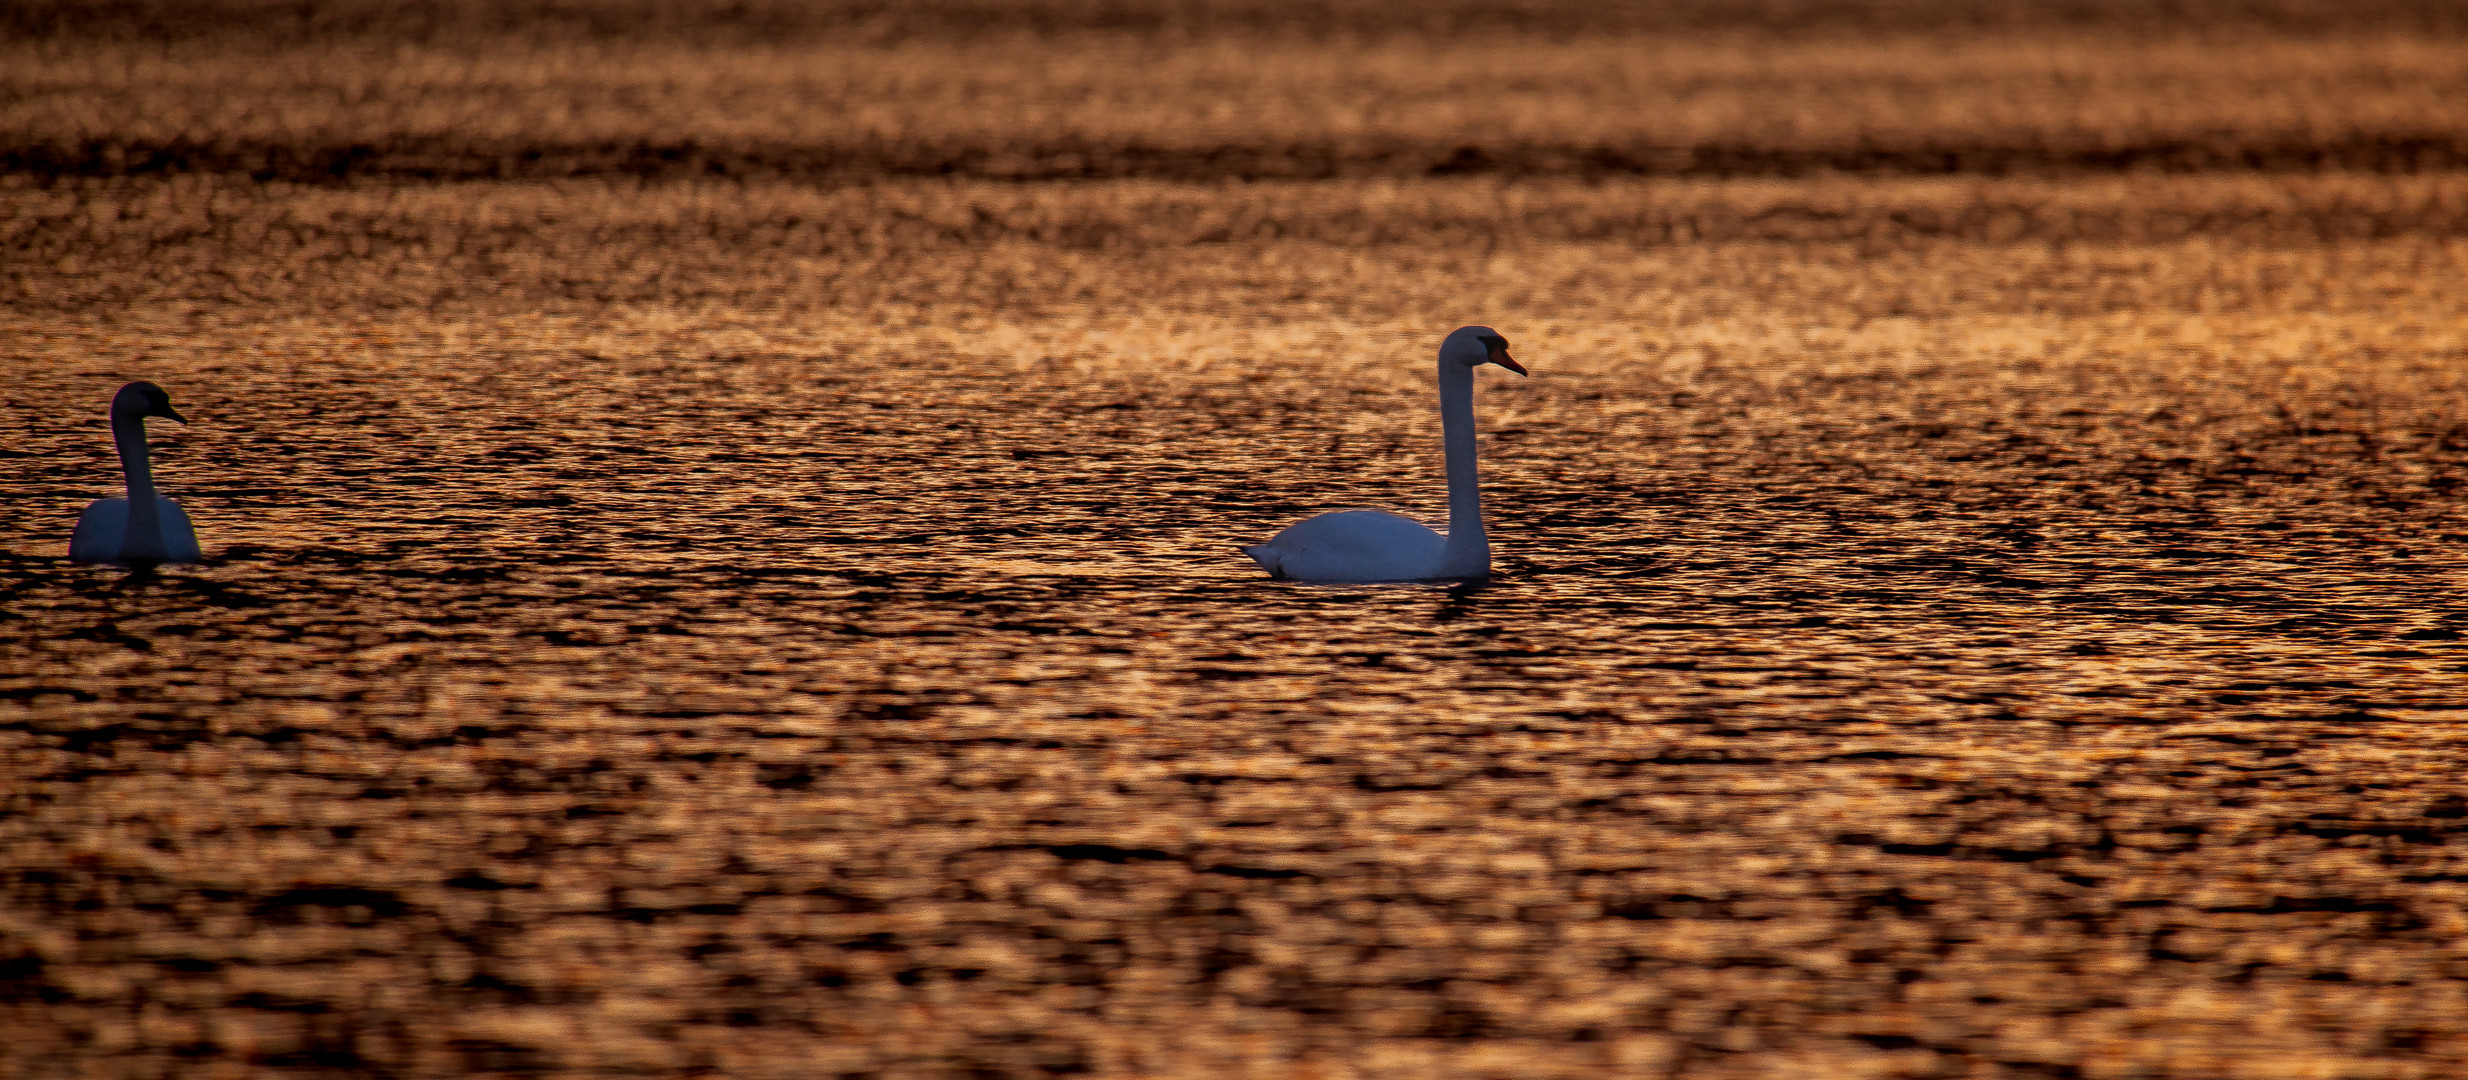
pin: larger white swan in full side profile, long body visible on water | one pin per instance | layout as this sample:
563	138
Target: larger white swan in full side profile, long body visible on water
1378	546
